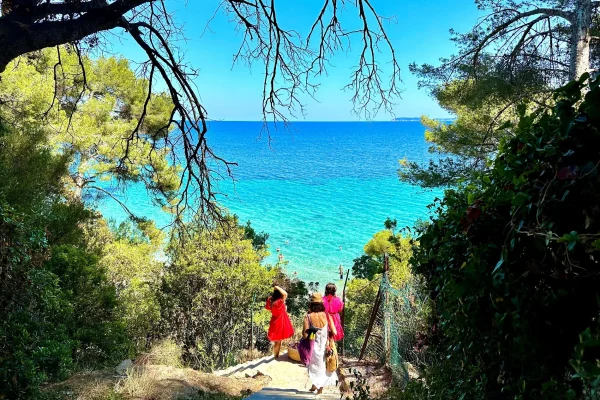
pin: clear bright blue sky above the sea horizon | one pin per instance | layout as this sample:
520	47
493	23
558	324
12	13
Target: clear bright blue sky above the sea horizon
233	92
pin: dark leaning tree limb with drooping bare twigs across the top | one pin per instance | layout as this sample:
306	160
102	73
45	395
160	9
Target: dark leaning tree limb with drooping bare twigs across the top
291	66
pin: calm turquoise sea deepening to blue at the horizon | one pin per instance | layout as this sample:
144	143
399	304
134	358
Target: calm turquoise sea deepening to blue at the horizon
320	189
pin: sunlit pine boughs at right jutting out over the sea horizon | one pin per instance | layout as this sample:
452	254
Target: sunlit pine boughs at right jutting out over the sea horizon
480	106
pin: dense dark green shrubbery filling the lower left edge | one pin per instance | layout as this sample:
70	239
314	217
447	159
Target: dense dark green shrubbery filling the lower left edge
56	306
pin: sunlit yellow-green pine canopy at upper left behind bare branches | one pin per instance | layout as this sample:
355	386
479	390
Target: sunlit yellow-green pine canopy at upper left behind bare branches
90	117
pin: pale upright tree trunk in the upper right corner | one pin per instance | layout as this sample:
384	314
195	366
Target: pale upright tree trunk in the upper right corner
580	39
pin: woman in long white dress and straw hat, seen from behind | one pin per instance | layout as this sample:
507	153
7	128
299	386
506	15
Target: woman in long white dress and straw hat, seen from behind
317	318
